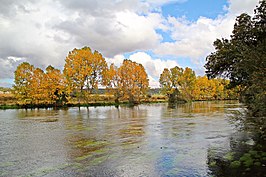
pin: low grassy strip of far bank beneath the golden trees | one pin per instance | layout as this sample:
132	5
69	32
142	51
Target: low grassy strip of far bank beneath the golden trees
8	101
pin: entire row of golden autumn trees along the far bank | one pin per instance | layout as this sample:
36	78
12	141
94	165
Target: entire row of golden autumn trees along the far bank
85	71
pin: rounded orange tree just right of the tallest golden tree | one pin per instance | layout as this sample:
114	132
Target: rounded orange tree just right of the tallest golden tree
132	80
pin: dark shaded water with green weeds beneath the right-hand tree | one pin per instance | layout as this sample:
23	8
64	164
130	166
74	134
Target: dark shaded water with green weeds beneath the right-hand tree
247	154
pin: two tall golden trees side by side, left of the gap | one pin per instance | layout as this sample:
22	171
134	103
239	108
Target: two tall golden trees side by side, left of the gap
86	70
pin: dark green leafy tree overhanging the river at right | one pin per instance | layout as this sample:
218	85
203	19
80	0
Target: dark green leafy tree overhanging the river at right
242	59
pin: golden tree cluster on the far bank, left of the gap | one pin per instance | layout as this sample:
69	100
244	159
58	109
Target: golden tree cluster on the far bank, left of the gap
84	72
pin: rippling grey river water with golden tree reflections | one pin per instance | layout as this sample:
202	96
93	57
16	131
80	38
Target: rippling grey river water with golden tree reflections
145	140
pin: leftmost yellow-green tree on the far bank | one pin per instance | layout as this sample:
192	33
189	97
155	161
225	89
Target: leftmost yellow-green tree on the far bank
23	76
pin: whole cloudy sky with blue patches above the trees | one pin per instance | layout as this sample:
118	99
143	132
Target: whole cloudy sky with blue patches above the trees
156	33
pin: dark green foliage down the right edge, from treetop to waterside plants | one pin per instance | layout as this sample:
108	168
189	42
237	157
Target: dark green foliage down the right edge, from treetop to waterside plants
241	59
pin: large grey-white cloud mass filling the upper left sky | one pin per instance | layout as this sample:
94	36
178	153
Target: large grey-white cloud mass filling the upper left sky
43	32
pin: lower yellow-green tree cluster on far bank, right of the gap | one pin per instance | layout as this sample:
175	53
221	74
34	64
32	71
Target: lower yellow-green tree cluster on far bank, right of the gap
182	84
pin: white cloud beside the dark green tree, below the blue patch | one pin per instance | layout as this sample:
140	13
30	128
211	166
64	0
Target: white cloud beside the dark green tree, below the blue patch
194	40
